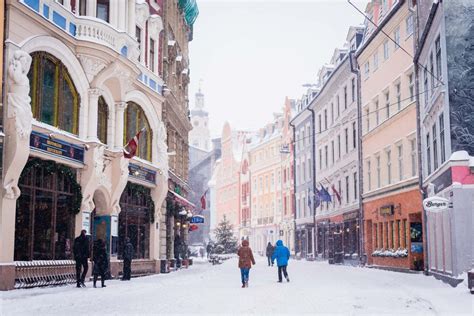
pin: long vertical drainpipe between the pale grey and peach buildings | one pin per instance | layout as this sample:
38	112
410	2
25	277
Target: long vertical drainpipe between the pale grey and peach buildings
355	70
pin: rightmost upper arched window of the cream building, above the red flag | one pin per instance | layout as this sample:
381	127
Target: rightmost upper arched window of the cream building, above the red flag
135	120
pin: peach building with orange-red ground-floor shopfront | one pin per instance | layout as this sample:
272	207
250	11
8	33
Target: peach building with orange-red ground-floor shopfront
393	234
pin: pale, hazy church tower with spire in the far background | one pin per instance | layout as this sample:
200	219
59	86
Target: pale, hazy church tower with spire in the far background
199	136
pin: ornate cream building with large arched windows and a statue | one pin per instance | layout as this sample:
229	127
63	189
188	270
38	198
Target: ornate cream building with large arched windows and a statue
84	77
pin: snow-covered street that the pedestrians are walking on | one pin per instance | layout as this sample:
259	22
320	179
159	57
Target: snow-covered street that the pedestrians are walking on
315	288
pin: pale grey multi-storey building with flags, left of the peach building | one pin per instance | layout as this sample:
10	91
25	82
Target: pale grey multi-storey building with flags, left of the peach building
337	159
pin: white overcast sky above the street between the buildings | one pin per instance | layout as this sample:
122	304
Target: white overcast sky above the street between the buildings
251	54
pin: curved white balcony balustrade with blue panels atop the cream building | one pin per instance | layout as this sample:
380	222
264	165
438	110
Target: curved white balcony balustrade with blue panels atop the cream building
85	28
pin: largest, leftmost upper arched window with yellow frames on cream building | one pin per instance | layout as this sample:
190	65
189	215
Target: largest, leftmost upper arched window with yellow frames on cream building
54	98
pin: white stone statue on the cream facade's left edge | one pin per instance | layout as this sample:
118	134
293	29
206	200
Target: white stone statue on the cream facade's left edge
17	122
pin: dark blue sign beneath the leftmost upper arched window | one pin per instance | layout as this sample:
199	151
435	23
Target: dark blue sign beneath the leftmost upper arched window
44	143
